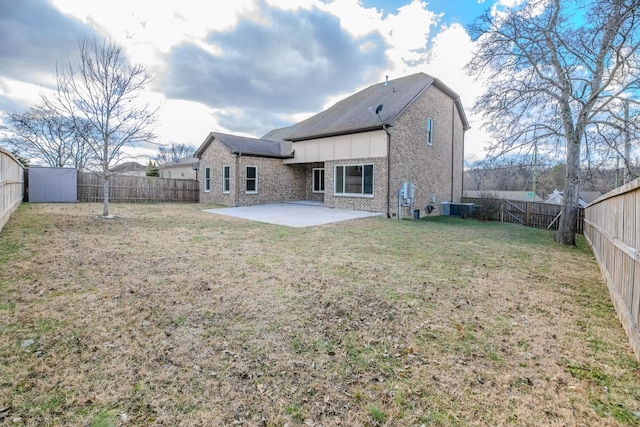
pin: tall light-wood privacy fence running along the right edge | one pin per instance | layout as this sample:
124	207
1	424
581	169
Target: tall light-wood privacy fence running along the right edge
612	228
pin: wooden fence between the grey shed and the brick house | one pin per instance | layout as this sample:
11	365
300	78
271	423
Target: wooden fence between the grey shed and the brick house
137	189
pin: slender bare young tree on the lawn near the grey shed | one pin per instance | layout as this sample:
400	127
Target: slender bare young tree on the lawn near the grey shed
101	94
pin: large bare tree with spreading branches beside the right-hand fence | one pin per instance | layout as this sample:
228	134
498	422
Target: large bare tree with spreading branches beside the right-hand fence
556	72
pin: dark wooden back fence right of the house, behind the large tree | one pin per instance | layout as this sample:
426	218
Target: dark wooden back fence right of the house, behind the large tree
532	214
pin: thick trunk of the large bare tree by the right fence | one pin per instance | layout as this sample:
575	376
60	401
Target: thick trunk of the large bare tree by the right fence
570	200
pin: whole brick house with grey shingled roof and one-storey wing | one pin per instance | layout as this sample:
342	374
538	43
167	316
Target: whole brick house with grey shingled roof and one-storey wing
355	155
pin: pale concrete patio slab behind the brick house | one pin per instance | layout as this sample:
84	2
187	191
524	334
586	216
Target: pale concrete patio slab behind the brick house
293	214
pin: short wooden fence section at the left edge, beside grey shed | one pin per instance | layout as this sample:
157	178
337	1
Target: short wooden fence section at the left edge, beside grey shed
11	185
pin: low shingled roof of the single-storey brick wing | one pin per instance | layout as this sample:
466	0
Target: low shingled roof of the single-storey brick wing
247	146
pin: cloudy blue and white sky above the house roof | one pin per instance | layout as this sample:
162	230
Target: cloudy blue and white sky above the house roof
247	66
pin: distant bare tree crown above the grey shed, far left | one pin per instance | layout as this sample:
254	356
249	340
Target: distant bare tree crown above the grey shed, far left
44	135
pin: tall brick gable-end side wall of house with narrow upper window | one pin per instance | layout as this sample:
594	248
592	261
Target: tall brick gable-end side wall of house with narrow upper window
428	167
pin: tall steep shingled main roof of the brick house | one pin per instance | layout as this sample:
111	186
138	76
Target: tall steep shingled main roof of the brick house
357	113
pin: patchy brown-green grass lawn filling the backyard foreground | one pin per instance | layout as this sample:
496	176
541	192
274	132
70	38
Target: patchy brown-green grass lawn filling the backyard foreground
167	315
